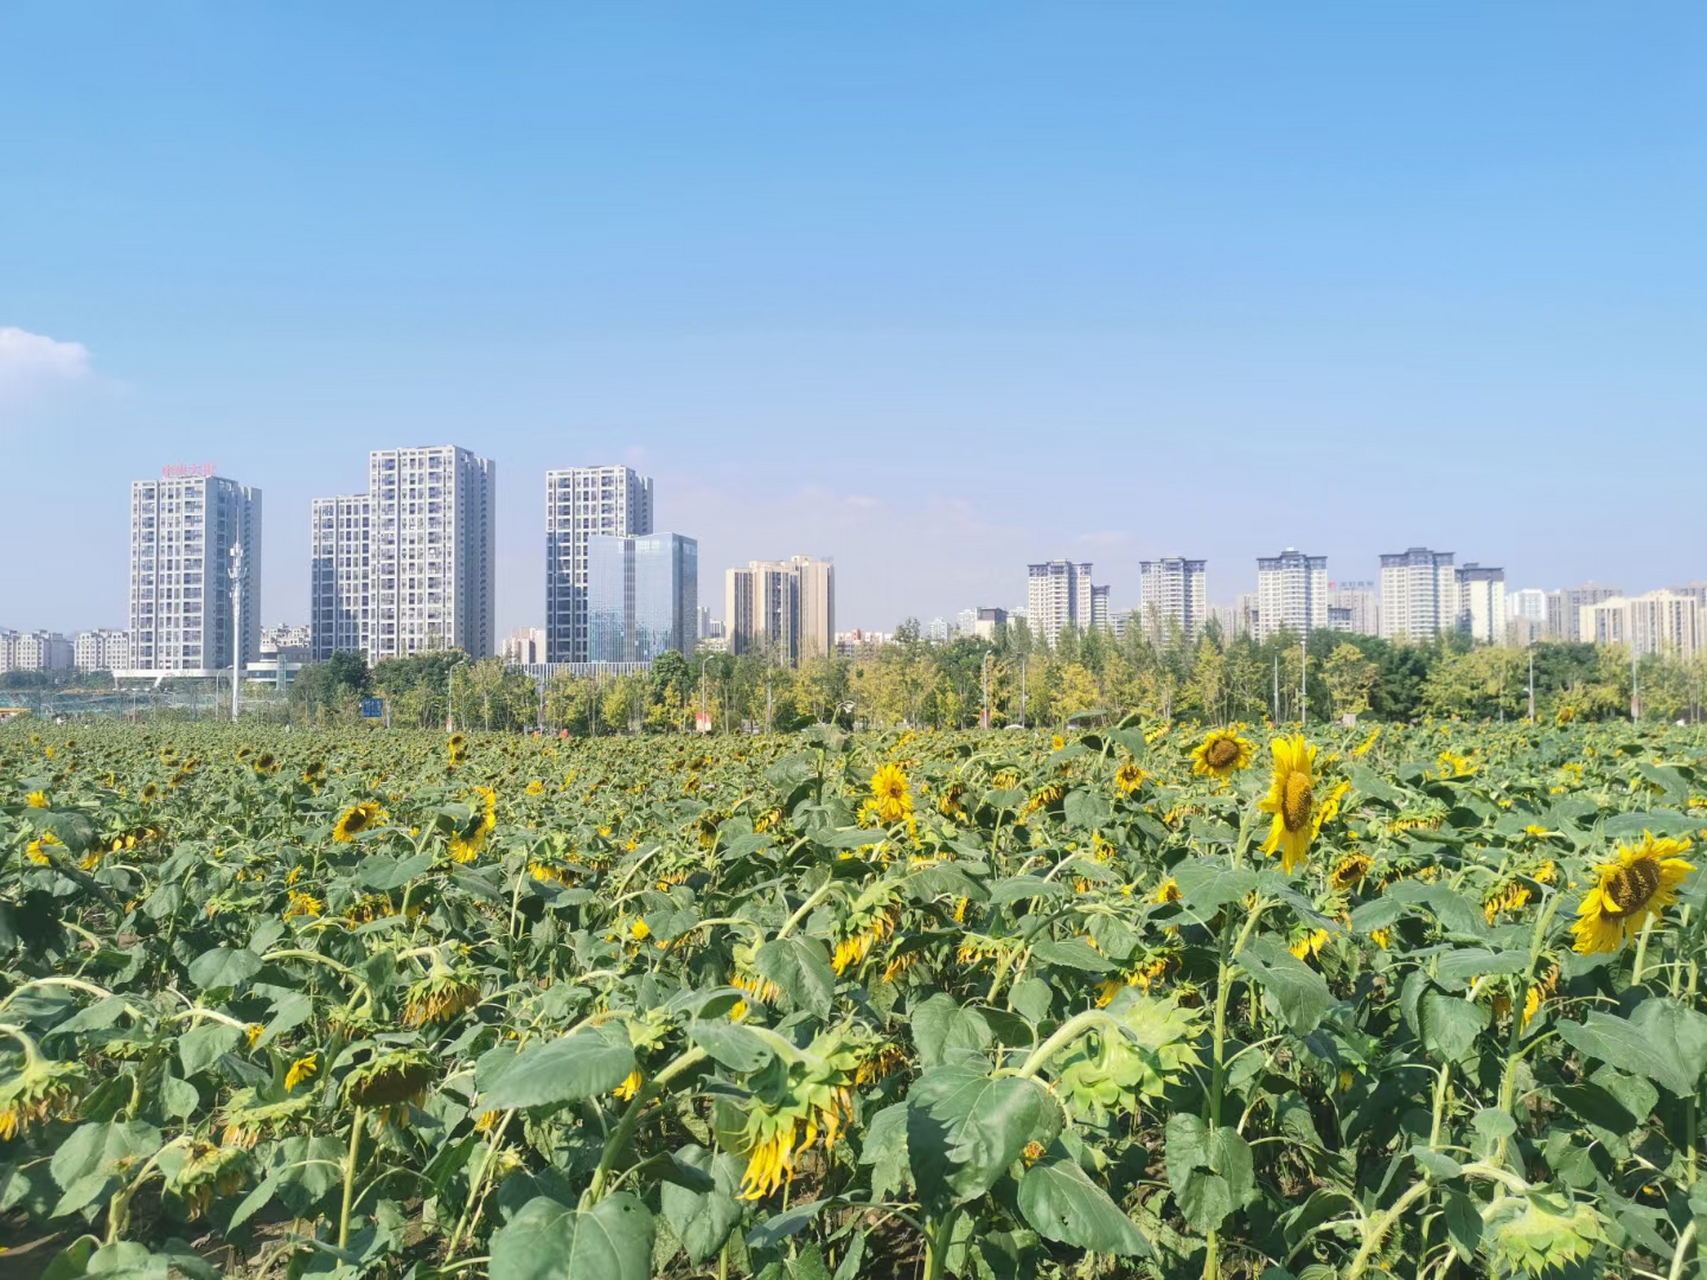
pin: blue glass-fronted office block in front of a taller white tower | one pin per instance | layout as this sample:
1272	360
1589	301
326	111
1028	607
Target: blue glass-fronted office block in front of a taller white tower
643	596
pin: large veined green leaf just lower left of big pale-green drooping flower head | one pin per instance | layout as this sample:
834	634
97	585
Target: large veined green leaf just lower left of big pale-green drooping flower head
964	1127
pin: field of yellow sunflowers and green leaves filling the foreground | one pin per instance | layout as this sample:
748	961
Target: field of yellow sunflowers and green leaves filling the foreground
1134	1003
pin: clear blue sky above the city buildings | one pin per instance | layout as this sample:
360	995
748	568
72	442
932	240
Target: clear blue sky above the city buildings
933	289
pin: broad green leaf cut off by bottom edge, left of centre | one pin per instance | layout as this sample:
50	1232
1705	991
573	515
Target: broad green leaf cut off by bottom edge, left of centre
551	1242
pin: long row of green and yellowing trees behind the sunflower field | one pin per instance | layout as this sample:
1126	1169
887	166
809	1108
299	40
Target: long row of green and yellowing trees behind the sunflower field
1022	682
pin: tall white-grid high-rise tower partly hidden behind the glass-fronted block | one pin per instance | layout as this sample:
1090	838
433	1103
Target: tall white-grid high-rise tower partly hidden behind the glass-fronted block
580	504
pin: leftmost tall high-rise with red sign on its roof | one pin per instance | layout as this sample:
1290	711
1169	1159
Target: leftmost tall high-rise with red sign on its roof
184	528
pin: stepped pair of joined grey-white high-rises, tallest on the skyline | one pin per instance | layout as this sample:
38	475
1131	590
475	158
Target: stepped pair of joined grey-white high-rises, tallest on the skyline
409	566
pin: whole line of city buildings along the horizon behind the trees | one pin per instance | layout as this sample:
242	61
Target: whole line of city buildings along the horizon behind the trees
409	567
